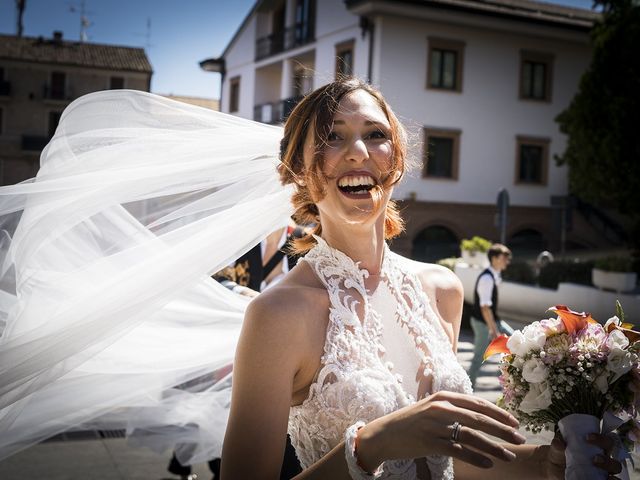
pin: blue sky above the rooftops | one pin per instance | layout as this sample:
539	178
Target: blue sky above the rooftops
182	33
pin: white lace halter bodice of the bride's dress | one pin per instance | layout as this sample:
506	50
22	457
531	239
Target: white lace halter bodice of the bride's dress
357	379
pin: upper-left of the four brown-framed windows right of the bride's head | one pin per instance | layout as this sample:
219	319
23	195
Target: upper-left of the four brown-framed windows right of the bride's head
445	64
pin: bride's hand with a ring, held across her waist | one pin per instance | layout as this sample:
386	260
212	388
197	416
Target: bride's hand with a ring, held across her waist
427	428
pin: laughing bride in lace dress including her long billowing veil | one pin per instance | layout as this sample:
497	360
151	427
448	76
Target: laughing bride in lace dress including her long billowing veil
107	301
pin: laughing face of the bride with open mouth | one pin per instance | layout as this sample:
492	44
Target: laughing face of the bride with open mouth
356	160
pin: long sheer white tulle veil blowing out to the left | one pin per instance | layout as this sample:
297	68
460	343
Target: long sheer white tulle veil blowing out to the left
109	317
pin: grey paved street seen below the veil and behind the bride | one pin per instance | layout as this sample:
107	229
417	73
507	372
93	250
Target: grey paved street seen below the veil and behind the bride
98	458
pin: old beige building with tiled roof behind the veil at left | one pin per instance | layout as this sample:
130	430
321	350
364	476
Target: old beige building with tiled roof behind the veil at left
39	77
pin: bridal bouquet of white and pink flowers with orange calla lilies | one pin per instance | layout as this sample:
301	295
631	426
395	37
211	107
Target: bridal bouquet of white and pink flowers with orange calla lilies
572	372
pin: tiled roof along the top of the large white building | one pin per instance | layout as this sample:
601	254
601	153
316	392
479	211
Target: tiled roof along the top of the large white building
525	10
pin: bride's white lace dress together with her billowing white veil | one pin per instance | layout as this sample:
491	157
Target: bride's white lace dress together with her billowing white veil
109	318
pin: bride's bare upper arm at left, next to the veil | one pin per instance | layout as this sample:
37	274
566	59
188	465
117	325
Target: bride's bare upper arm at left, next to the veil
268	356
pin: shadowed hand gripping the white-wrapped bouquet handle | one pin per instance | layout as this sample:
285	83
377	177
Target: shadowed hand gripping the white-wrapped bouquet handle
555	457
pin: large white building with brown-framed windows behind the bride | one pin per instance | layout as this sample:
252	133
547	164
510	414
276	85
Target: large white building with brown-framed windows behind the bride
479	81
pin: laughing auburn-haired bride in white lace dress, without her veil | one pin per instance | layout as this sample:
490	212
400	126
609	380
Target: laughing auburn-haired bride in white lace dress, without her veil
353	353
